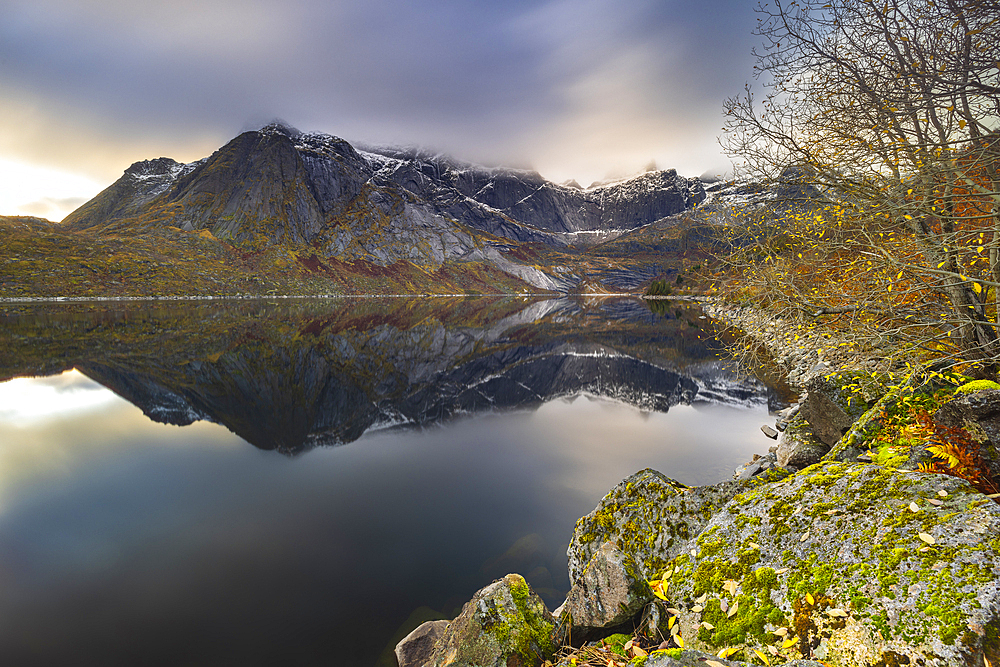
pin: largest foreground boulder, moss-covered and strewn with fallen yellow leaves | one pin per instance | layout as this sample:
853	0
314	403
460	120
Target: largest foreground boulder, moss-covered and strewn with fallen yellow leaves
851	564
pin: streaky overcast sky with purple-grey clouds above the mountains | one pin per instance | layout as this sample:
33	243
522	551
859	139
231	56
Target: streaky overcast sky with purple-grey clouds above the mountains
580	89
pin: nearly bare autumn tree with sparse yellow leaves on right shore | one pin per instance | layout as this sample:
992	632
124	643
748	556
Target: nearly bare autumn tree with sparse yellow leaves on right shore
889	111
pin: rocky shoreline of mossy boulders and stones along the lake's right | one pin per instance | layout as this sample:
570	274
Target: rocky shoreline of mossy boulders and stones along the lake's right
811	556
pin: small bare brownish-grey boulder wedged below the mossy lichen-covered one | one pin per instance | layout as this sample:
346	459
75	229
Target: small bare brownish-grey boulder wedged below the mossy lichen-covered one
608	594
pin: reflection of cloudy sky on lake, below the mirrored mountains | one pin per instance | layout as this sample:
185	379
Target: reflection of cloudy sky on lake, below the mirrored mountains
158	545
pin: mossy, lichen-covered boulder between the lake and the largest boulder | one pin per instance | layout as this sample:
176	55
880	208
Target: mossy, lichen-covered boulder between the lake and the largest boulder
651	518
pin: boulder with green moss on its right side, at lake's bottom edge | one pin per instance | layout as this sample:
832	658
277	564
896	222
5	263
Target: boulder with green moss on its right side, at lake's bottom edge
504	625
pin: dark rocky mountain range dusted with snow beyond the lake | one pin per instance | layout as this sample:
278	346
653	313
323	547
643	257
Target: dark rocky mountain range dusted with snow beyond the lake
386	210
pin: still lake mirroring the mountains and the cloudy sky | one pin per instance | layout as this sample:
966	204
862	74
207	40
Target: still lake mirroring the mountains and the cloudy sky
300	482
